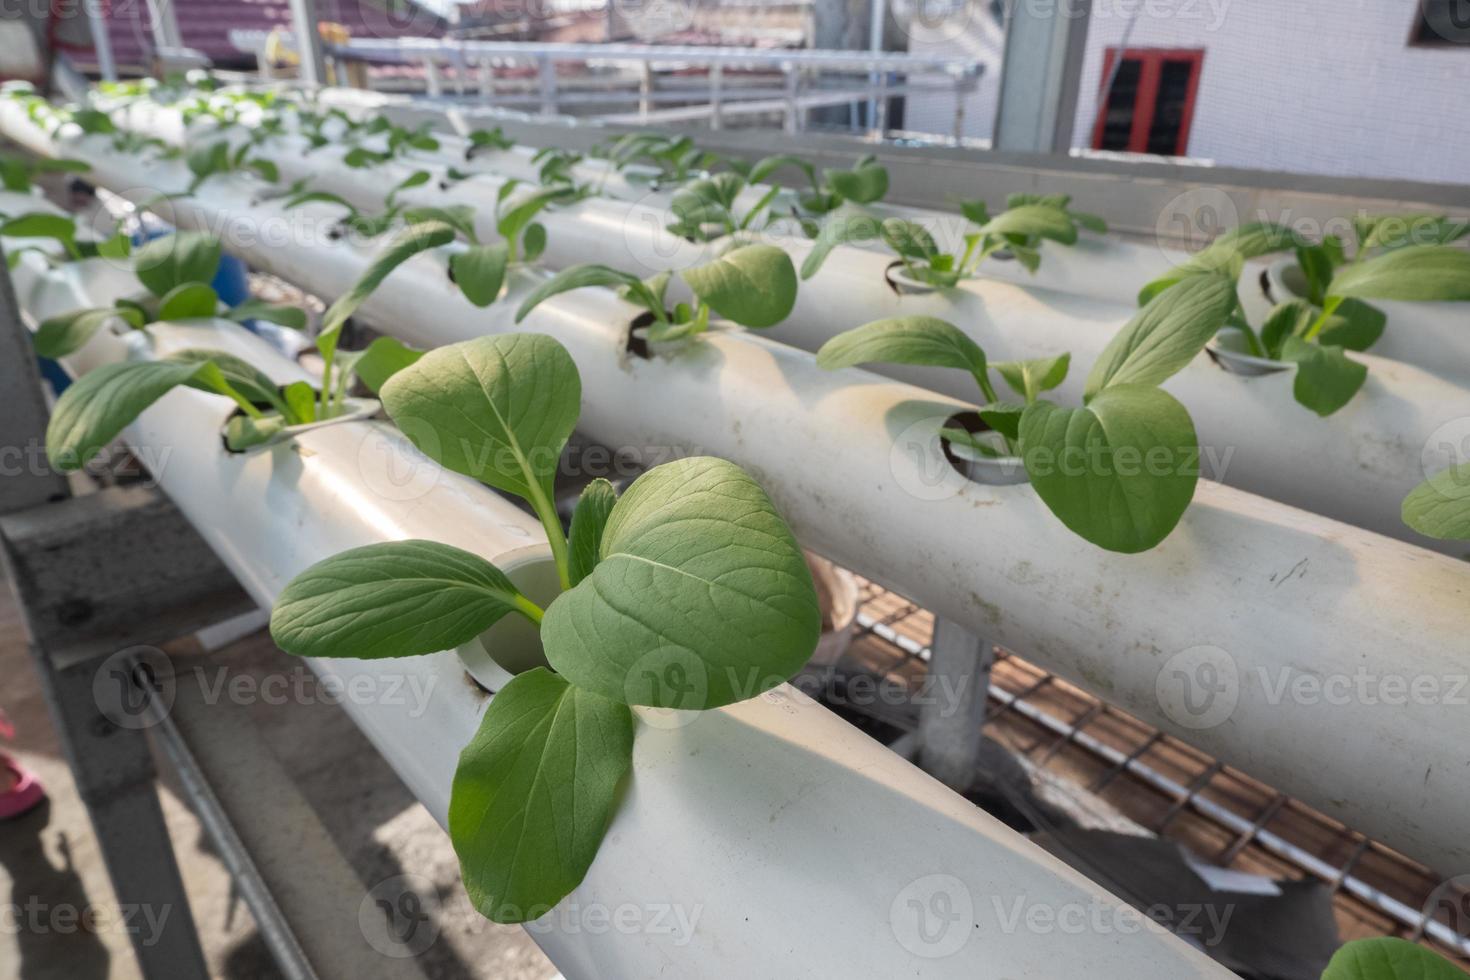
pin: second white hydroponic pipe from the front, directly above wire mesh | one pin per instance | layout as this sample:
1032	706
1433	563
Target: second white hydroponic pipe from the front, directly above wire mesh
1262	591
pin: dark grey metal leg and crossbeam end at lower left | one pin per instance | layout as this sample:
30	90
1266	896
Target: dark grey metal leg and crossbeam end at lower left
98	577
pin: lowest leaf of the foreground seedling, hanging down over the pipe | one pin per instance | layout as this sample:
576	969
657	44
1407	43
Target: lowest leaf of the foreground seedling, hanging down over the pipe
534	794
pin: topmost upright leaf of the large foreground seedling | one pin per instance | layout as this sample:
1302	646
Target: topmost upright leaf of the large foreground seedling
499	409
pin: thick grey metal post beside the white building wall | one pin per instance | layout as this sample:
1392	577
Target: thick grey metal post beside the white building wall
1040	76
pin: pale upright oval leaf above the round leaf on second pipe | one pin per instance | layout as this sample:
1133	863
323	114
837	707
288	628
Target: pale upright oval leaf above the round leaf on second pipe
1165	336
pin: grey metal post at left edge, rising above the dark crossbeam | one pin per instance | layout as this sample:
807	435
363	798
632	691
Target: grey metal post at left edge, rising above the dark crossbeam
23	424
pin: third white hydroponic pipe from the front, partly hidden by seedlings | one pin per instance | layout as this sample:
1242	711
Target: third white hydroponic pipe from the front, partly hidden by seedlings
1355	466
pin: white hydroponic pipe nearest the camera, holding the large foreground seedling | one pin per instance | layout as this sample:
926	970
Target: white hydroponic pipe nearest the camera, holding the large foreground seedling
727	826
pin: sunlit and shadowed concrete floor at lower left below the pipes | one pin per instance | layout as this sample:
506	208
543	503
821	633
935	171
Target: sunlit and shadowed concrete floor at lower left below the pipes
52	872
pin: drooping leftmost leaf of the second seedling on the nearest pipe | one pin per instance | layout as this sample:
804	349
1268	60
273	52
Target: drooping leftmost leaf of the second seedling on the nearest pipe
104	402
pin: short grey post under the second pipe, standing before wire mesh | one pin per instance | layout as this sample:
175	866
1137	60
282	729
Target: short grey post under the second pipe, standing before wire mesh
953	718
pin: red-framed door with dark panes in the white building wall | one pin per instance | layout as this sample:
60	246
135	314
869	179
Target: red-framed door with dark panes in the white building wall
1150	108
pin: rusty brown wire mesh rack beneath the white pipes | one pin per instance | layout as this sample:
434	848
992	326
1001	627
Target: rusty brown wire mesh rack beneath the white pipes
1159	782
